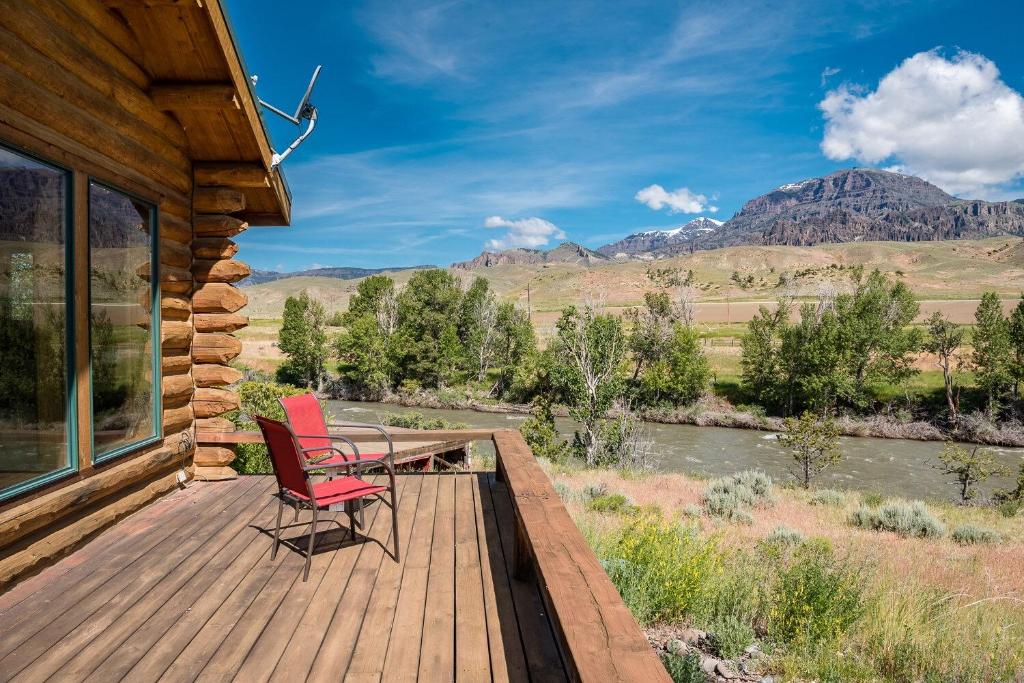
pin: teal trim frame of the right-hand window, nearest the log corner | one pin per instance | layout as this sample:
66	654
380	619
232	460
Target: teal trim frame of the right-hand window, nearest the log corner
156	368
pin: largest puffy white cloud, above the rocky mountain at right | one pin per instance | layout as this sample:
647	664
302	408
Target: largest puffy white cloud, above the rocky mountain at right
950	120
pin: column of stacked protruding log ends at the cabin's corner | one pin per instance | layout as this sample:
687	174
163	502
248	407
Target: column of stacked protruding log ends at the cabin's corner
216	303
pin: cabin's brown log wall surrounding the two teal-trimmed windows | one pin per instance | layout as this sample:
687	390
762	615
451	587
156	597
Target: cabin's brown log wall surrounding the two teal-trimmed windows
74	95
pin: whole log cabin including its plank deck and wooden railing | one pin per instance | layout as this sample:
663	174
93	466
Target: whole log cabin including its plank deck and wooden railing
133	151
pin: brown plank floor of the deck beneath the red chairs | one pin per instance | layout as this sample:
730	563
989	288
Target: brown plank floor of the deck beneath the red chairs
186	590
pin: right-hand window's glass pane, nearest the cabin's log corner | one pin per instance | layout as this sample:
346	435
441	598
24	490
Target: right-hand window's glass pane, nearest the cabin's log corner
120	248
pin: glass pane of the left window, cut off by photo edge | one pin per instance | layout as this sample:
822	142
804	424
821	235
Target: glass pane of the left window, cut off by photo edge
33	328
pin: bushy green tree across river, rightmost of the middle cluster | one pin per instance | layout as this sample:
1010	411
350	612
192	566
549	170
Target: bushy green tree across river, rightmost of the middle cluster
682	376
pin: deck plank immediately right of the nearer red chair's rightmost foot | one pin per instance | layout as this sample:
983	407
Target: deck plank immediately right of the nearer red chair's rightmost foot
403	659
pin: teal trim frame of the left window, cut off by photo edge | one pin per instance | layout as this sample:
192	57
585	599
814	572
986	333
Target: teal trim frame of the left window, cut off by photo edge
71	383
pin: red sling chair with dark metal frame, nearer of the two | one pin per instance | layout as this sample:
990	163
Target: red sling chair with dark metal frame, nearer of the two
292	471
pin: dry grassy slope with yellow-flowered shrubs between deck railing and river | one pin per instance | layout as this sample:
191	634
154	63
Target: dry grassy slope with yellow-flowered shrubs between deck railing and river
877	606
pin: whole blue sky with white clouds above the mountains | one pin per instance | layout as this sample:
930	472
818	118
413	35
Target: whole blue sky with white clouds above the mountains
449	126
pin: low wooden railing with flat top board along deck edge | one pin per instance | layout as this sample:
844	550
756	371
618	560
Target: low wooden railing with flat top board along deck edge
599	639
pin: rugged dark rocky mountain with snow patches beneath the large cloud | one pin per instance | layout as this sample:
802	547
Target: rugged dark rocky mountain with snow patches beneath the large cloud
854	205
